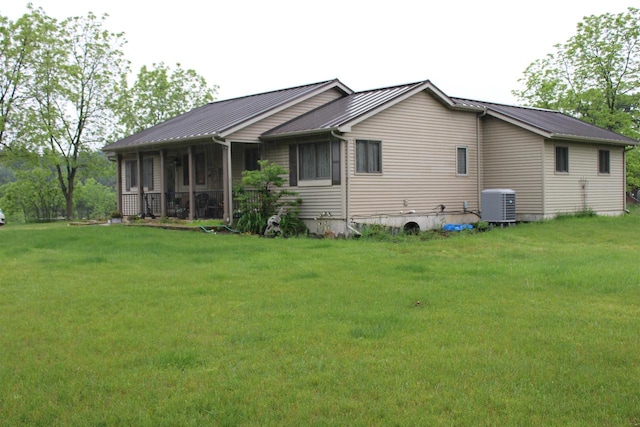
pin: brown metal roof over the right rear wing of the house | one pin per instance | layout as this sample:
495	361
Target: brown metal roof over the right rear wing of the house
553	124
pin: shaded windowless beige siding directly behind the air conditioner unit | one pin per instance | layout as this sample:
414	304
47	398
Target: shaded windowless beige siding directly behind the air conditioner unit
513	158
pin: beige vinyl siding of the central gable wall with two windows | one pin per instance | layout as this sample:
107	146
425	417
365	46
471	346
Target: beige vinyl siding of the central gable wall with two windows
419	137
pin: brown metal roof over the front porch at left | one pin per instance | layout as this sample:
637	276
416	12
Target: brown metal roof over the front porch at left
217	117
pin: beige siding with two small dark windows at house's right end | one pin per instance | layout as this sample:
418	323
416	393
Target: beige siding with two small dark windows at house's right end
583	187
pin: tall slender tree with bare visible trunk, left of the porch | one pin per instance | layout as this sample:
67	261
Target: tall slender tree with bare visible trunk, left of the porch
68	114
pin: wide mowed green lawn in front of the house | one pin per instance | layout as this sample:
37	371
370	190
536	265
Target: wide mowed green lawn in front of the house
537	324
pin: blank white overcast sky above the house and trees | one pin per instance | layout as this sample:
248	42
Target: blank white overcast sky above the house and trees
473	49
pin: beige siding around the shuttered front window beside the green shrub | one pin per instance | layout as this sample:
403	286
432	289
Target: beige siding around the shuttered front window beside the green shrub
315	200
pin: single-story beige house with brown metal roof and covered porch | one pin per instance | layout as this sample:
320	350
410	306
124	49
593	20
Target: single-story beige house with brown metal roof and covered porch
407	156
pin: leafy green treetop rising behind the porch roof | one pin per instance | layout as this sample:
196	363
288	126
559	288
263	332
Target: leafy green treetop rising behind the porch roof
159	94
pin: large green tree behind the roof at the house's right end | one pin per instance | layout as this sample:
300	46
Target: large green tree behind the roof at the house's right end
594	76
